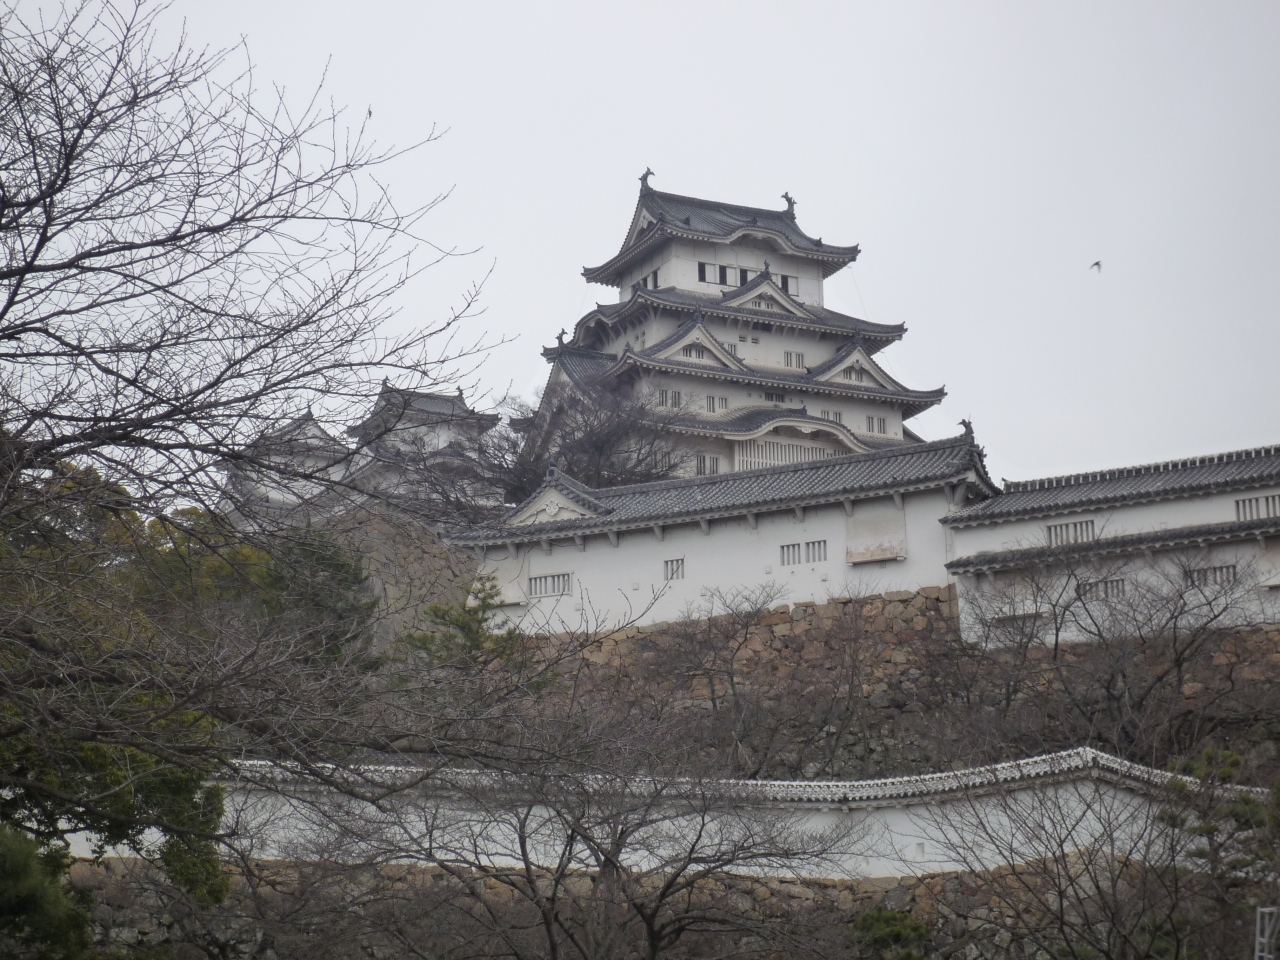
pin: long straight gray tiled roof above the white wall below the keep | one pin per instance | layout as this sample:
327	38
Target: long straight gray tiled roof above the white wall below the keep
909	467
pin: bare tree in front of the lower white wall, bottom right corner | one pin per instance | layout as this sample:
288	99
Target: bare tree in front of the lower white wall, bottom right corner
1112	866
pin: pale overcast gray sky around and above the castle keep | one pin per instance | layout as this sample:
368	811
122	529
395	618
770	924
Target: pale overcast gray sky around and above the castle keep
982	154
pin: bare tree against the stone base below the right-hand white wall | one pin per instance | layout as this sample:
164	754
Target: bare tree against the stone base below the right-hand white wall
1127	655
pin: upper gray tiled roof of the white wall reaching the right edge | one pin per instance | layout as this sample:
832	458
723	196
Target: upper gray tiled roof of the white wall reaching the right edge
1150	482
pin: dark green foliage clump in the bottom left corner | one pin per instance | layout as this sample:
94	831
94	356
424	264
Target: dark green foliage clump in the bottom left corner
35	911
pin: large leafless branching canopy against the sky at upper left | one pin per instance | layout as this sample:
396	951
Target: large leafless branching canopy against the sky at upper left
189	262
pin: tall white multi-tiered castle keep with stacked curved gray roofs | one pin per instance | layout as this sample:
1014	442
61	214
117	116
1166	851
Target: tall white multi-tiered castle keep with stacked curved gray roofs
674	326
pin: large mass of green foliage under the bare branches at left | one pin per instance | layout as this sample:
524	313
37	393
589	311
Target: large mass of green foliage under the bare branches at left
108	627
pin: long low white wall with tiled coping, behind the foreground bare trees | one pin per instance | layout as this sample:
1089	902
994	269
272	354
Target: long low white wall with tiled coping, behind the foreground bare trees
982	819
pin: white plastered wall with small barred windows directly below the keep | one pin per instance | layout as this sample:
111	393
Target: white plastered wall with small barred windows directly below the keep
883	546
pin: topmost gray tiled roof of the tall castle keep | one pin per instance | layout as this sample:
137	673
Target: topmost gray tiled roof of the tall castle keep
679	216
